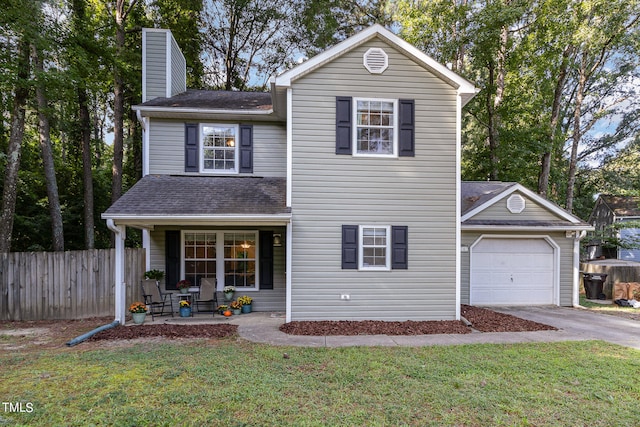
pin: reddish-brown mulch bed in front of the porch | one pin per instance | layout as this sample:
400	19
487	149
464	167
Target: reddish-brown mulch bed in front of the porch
166	331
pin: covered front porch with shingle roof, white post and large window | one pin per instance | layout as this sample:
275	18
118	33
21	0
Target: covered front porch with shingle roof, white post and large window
231	231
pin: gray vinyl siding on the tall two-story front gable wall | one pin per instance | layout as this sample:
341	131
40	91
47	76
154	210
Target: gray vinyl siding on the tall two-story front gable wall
330	190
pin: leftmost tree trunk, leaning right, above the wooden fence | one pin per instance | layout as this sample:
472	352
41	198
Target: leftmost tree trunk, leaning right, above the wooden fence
14	150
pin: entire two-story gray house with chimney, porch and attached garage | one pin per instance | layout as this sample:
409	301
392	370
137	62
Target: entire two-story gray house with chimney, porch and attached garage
337	195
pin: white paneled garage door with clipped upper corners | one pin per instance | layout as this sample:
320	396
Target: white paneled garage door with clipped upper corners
512	272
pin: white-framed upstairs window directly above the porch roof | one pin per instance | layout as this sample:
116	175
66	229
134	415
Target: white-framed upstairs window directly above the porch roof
219	148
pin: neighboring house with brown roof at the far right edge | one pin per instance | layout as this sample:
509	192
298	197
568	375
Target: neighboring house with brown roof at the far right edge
609	210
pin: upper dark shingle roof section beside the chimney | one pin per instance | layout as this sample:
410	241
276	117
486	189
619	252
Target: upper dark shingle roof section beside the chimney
215	100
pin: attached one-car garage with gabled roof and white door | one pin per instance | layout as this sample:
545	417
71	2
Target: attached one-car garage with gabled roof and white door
517	248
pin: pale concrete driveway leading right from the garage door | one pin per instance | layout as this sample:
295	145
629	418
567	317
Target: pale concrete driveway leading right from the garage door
579	324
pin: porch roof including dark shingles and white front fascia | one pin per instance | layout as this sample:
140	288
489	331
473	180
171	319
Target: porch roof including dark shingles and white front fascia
205	200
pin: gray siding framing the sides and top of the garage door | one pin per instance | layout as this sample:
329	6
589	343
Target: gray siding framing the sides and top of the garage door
566	261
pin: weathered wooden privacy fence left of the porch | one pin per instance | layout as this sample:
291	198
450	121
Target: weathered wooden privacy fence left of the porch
65	285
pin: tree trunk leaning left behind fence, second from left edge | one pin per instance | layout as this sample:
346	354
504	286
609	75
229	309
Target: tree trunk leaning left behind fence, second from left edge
57	230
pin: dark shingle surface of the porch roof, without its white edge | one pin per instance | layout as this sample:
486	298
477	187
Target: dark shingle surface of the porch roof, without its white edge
166	195
